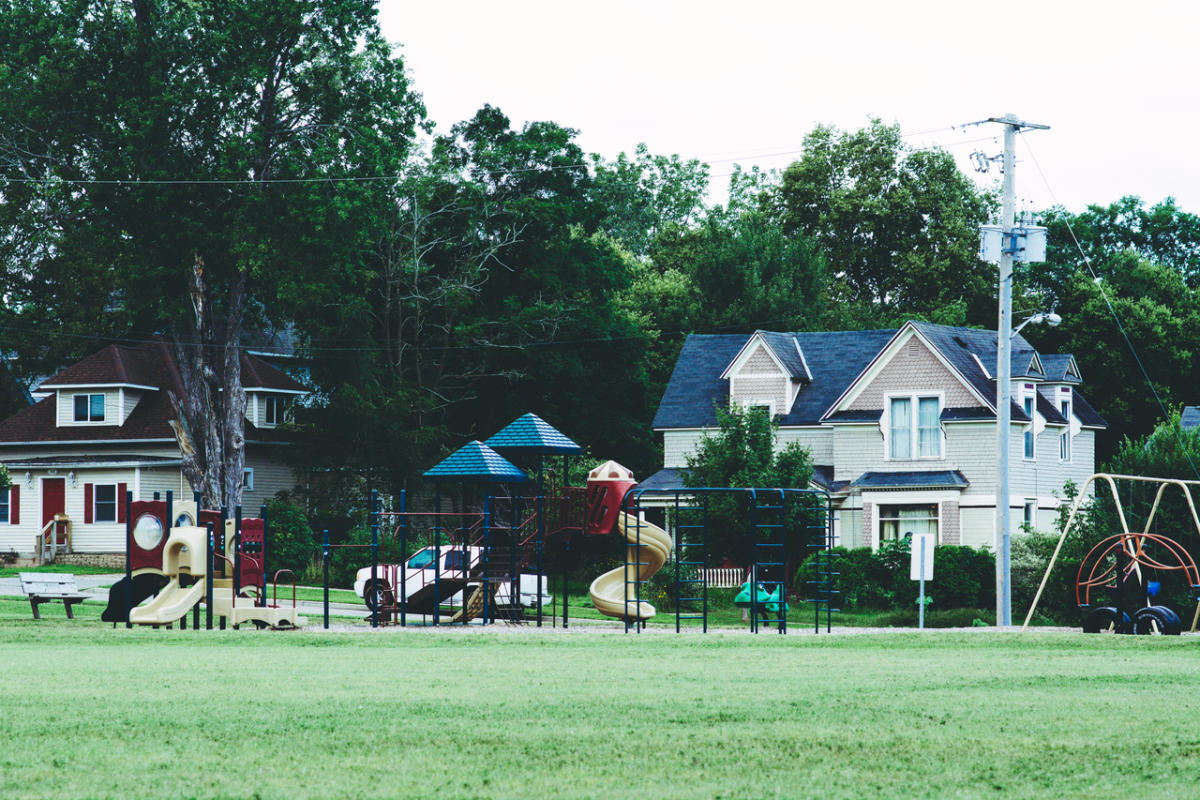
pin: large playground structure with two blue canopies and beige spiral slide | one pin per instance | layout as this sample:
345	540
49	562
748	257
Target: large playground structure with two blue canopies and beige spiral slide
512	540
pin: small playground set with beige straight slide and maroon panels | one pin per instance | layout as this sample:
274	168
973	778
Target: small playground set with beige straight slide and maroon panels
179	557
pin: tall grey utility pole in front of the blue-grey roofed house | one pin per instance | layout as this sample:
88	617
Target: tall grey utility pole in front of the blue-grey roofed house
1004	369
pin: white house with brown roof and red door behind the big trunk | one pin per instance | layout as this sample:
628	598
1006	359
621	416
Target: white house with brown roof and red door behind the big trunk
104	428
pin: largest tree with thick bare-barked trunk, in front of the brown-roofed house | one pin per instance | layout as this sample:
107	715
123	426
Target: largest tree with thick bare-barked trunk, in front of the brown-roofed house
179	167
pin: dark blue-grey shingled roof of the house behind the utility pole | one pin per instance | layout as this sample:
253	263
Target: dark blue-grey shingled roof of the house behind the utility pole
837	359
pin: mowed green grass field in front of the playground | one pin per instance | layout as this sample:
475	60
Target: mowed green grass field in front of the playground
91	712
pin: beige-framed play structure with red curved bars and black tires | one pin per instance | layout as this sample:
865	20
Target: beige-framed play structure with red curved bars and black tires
1121	567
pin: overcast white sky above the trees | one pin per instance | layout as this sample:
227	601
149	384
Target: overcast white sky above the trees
743	82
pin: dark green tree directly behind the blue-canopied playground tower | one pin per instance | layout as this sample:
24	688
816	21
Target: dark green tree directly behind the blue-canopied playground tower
490	293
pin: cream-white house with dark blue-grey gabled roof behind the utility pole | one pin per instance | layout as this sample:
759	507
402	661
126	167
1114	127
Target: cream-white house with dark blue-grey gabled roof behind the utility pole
901	424
